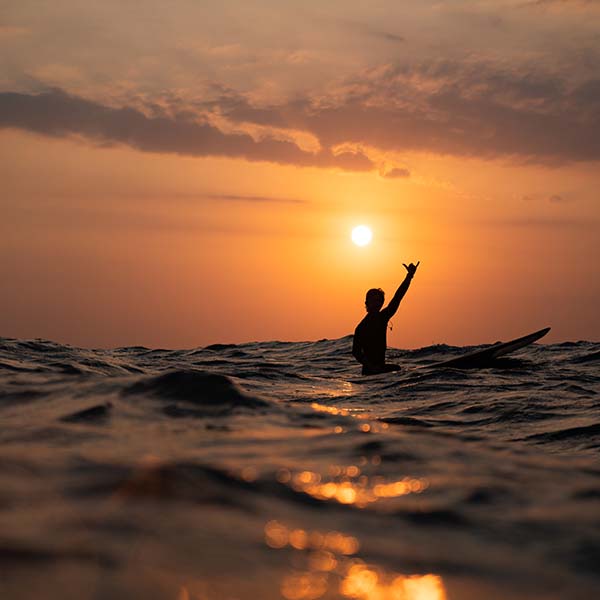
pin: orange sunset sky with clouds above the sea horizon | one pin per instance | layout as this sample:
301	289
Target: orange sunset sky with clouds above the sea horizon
176	174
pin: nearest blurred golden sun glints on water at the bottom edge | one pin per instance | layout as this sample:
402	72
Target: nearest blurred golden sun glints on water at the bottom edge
331	565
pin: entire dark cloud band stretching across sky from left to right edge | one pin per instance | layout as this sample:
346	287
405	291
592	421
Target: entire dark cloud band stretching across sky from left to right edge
471	109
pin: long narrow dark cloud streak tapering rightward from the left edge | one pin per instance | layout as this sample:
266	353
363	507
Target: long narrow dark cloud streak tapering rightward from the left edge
56	113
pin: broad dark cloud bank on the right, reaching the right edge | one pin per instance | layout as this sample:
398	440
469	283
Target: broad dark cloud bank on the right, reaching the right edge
450	108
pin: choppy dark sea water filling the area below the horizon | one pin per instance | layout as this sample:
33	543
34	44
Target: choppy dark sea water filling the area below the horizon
273	470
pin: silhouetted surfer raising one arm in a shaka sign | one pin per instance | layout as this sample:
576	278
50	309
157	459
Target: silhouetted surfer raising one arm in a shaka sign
370	335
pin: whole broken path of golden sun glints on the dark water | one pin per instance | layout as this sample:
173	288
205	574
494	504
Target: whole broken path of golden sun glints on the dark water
331	564
